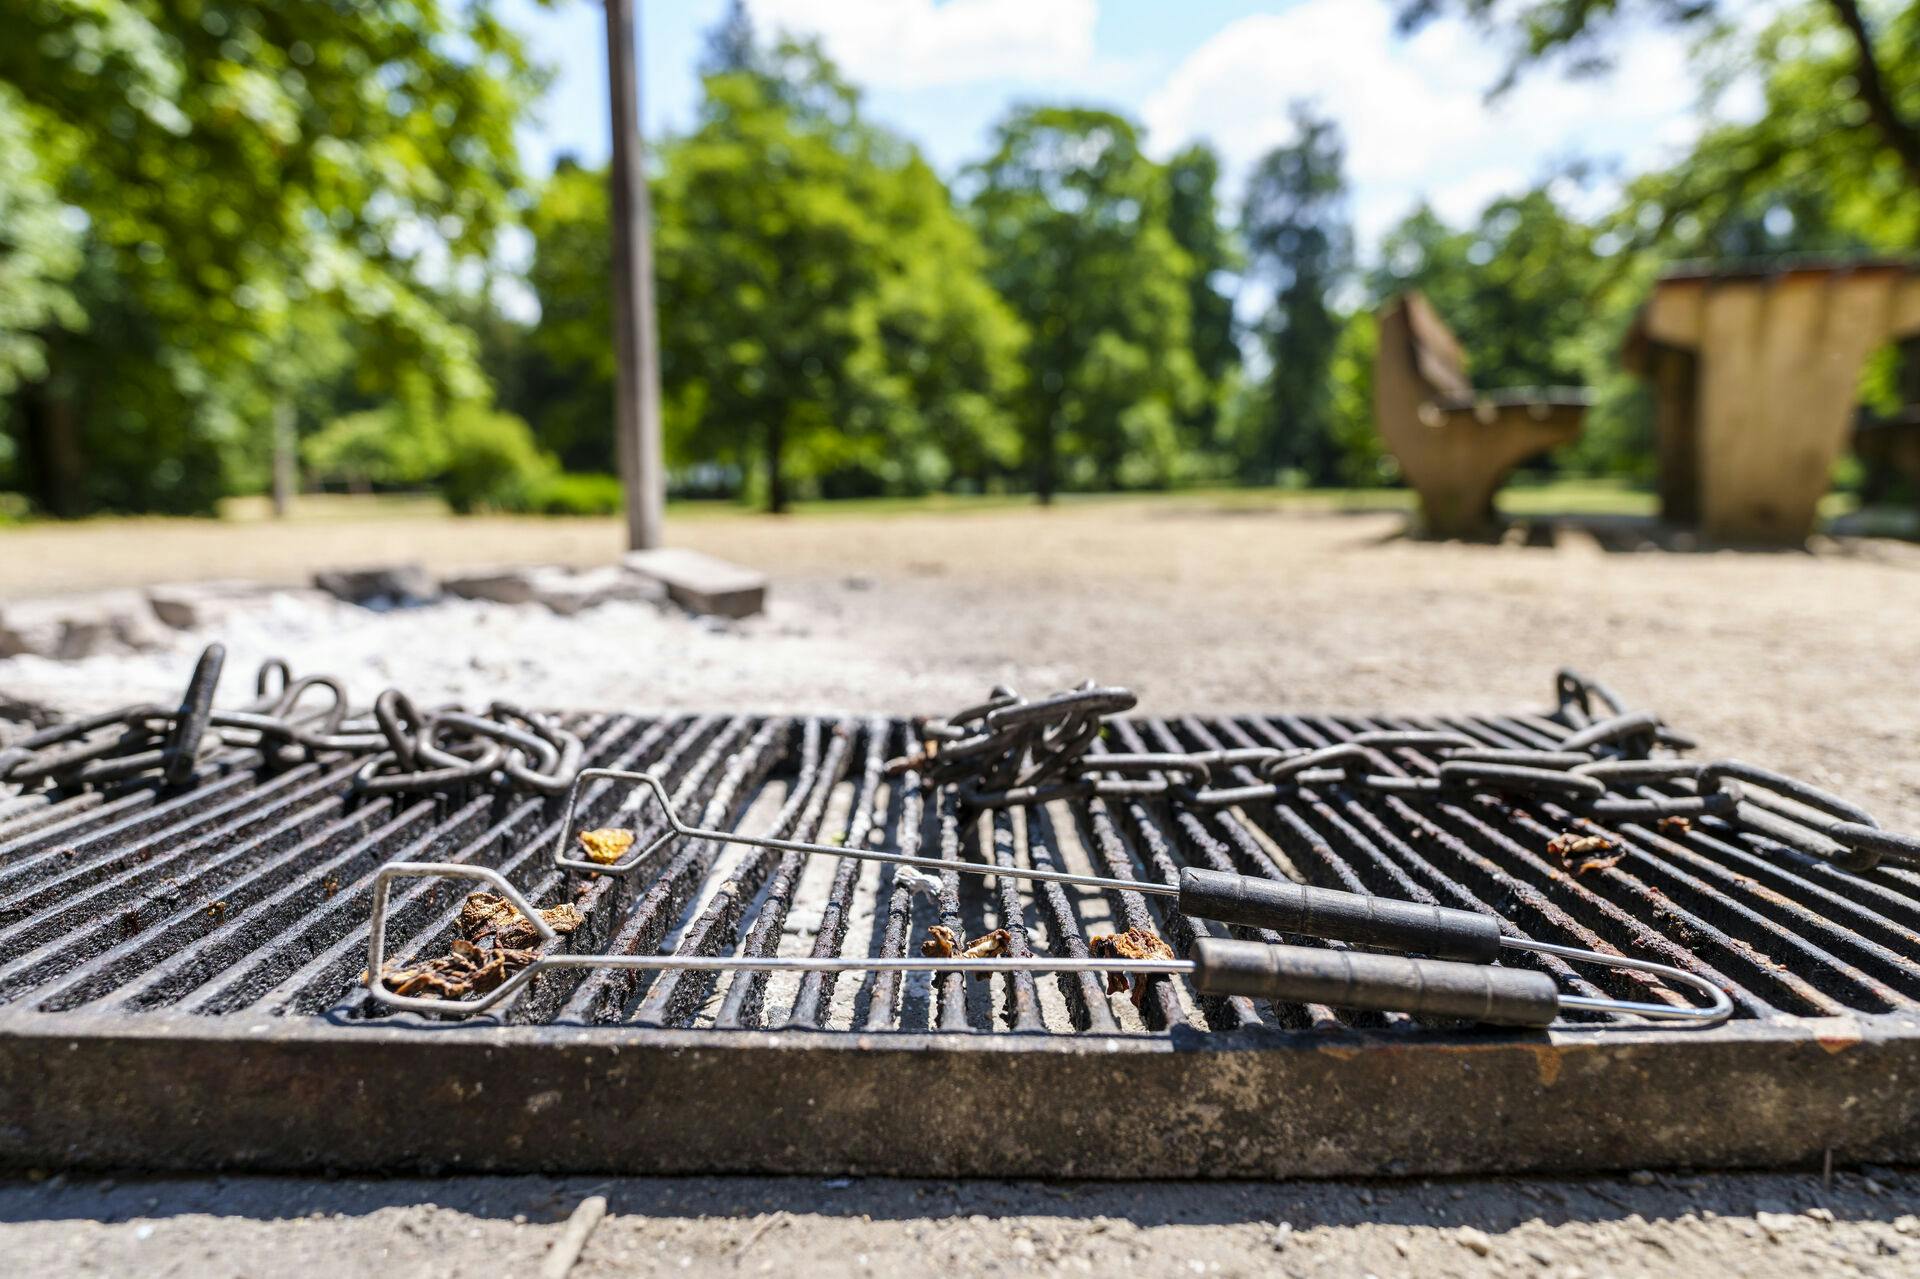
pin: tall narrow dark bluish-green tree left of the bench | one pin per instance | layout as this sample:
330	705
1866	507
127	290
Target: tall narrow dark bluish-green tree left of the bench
1299	247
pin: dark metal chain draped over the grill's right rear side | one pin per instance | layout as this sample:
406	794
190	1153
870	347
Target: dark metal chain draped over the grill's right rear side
1015	752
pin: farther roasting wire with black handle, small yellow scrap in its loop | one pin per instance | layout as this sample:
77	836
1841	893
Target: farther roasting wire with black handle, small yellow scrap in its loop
1280	905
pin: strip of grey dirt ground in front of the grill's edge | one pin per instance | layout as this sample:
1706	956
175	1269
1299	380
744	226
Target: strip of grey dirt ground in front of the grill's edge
1760	1226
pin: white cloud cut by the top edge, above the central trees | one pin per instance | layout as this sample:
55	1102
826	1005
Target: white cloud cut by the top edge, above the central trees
919	43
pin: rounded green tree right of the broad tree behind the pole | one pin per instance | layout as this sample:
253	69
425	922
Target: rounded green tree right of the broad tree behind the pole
1076	226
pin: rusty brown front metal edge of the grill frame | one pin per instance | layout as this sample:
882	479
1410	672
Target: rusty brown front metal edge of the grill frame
306	1096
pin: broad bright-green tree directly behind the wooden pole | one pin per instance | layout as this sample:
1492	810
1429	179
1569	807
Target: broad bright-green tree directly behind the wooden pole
825	320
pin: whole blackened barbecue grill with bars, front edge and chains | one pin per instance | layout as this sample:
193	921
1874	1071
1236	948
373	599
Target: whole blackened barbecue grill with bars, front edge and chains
187	904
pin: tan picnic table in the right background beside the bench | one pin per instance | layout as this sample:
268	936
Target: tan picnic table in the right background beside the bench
1756	374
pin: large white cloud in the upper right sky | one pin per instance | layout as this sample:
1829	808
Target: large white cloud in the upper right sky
1414	110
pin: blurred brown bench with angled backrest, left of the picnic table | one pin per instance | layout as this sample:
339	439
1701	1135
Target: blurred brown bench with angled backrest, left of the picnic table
1456	445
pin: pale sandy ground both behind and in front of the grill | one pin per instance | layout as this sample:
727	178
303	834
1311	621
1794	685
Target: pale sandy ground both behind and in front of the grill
1806	662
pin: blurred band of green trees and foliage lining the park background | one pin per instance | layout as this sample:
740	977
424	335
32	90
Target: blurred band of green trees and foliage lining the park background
212	210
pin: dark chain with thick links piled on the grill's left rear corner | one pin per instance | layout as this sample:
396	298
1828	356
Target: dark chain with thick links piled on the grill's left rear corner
300	721
